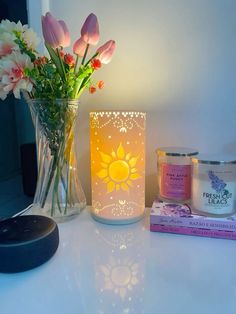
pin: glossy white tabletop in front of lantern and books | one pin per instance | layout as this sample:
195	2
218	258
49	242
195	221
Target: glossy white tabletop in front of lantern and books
125	269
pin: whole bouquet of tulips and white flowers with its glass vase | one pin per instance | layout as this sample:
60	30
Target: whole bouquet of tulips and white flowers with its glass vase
52	86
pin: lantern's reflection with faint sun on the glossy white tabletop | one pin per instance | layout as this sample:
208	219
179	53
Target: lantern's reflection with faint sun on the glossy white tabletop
119	269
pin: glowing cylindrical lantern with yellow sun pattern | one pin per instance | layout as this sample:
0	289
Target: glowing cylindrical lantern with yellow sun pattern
117	142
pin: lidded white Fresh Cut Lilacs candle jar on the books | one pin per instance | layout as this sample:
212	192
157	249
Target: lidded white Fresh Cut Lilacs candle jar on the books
214	185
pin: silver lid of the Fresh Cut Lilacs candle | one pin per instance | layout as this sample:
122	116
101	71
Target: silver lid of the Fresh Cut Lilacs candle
214	159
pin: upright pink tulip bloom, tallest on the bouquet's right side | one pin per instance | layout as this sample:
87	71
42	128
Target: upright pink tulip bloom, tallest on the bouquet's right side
90	30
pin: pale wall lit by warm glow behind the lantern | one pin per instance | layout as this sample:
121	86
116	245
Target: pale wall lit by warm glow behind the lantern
175	59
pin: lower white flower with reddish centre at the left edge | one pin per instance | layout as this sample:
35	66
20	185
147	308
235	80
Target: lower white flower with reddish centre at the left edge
12	76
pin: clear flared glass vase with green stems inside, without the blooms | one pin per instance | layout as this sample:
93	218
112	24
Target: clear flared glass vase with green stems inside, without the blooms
59	193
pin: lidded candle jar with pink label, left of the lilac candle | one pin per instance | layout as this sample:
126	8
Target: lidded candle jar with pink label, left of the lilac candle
174	173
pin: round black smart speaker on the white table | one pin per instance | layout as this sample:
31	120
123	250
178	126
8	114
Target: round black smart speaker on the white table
27	242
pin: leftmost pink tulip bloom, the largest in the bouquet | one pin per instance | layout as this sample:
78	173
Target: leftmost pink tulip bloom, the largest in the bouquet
55	32
